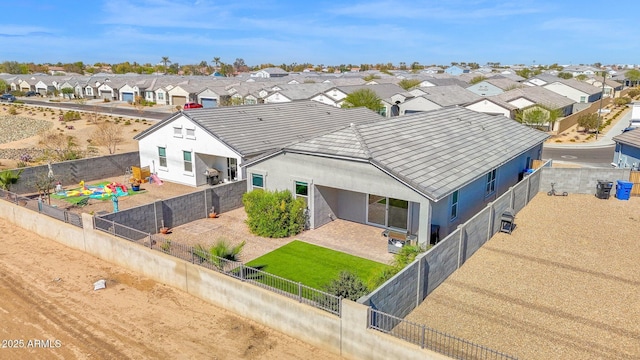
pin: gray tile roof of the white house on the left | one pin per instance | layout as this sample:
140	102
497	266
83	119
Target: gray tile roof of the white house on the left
255	129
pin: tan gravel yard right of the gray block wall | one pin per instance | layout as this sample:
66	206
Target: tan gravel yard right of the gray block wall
563	285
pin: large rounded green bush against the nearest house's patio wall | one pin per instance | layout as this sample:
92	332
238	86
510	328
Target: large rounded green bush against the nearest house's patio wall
274	214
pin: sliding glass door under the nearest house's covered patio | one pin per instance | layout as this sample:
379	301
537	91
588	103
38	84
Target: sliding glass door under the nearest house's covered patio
388	212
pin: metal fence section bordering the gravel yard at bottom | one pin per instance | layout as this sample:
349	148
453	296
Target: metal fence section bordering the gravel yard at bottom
431	339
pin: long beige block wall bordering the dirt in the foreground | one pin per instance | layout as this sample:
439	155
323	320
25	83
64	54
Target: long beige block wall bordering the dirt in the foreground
347	335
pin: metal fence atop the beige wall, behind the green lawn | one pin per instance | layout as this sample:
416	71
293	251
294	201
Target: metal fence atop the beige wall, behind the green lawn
201	256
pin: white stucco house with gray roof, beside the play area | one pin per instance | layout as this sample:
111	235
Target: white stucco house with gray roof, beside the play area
183	146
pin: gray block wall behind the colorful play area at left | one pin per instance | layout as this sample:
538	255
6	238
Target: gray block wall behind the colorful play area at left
73	171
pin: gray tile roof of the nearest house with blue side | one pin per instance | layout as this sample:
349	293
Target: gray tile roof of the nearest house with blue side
435	152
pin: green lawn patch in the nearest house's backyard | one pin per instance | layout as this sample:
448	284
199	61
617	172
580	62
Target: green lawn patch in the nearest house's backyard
314	266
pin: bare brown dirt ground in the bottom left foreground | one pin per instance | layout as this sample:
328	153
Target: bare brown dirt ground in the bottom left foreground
47	296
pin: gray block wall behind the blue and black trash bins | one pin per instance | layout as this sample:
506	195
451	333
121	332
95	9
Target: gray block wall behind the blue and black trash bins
580	180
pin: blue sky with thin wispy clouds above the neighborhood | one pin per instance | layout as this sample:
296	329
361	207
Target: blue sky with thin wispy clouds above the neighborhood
322	32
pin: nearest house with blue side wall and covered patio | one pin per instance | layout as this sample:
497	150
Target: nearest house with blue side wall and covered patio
417	174
